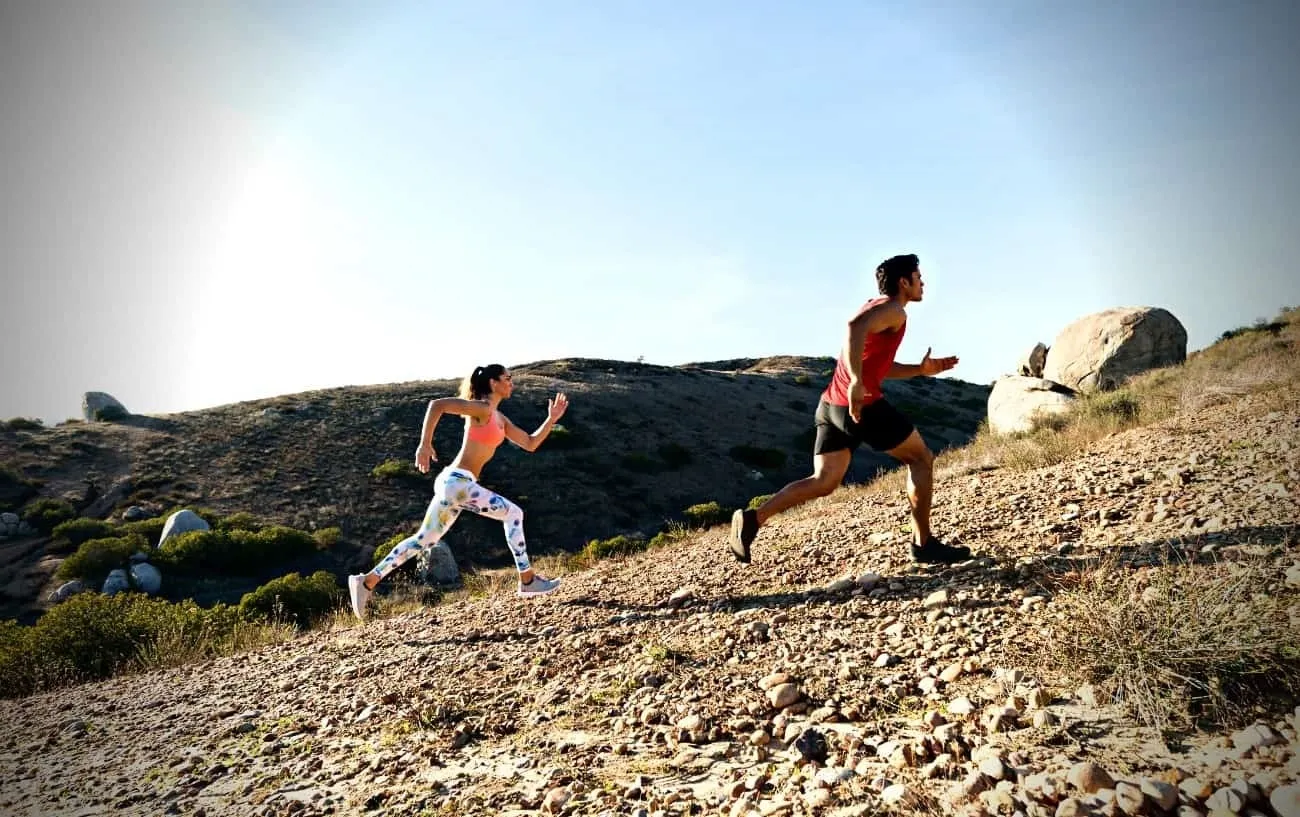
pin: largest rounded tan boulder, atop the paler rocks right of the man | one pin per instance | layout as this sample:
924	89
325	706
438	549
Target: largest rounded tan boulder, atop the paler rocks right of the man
1104	349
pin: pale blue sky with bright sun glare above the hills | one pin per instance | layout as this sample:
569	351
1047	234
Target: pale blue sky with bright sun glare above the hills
229	202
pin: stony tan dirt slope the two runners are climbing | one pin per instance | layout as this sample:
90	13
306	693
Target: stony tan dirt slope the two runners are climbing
678	682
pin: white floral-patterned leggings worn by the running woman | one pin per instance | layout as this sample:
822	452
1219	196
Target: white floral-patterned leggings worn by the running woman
453	492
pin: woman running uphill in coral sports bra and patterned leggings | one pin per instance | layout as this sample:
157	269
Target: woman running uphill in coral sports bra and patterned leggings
457	487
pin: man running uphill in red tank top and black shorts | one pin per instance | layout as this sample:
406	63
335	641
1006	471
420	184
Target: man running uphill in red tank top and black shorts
853	410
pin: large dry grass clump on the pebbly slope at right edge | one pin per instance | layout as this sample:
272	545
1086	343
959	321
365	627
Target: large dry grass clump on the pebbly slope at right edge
1180	645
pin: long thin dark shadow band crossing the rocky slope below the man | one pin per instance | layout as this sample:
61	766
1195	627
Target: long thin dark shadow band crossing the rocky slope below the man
1043	576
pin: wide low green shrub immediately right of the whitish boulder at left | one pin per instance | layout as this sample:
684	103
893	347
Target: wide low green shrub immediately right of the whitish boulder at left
235	552
